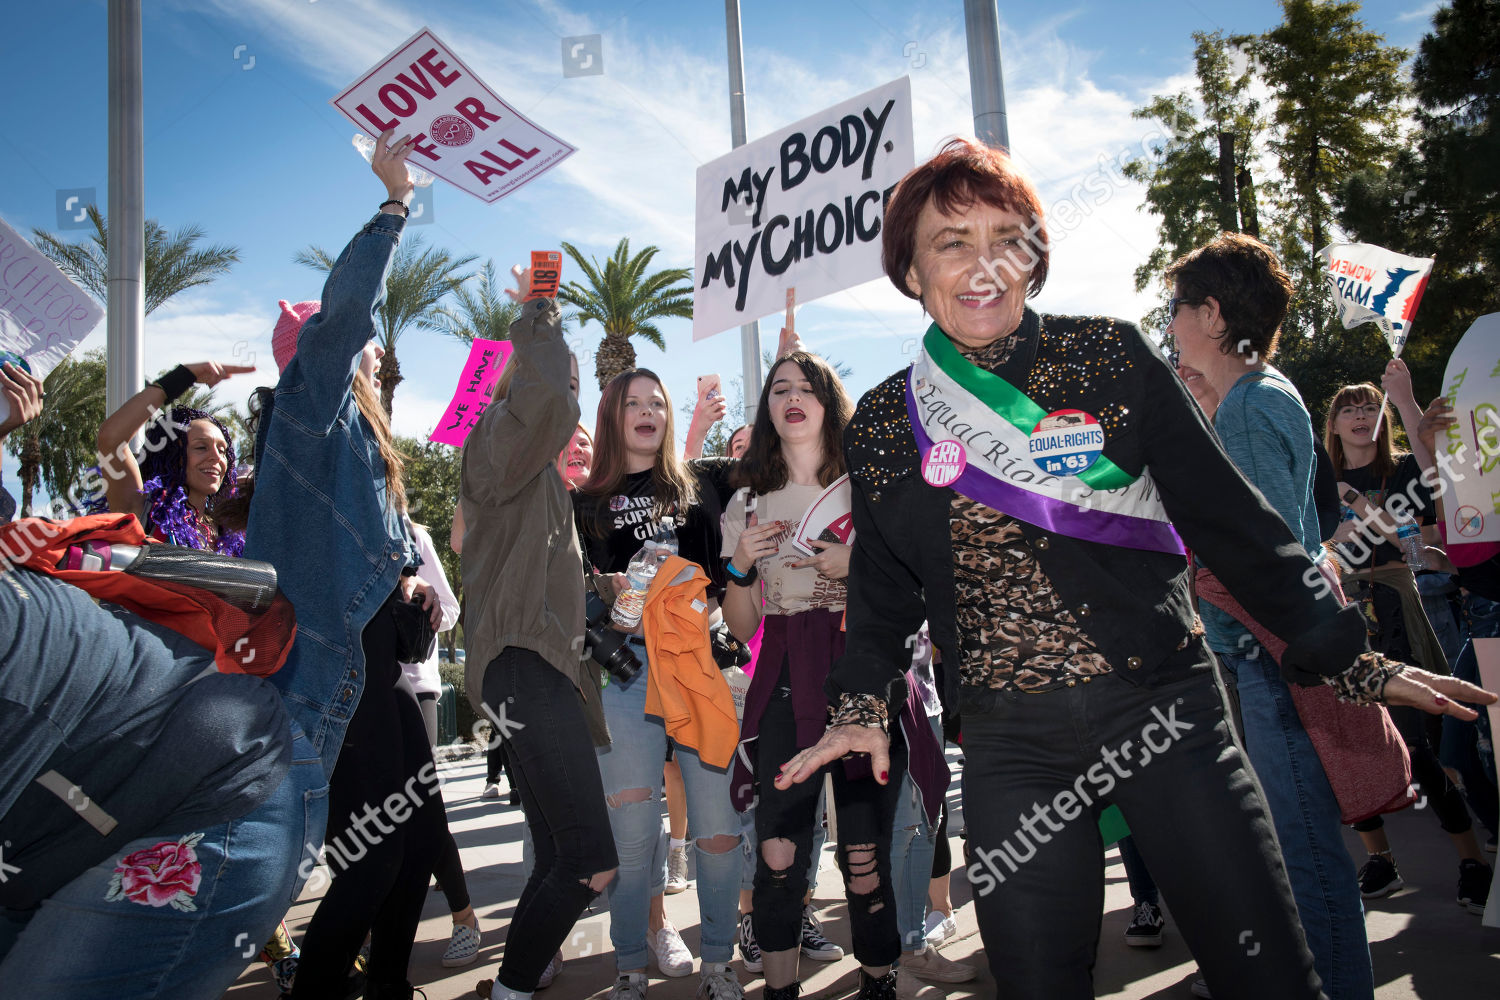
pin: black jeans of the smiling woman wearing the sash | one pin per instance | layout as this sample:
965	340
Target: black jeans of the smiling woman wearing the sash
1040	768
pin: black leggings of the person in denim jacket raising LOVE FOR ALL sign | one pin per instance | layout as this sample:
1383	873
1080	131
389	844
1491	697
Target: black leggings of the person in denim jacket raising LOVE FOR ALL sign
380	857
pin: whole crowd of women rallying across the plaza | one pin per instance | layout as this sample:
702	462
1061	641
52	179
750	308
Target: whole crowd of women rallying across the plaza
229	674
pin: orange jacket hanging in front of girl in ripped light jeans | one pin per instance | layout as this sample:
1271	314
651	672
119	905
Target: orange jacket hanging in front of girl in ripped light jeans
685	687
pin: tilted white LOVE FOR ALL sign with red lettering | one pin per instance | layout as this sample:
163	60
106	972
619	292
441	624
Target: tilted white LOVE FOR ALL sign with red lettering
464	133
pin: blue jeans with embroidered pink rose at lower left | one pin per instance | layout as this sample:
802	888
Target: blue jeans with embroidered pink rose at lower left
250	873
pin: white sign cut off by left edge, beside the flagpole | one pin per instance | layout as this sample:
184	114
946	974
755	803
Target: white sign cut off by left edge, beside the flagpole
43	313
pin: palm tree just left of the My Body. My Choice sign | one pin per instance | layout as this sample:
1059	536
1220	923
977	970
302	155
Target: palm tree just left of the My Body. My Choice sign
626	302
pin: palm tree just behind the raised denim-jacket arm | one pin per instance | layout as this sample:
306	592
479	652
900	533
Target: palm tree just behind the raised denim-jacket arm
419	280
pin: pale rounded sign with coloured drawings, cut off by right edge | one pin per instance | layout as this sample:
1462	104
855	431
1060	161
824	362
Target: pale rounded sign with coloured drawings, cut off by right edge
1469	452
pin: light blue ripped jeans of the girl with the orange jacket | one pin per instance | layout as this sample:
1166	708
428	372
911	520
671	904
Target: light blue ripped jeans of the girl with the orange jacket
634	761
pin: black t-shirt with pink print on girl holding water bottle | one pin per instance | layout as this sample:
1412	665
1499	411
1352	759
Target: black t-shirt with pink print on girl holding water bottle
613	536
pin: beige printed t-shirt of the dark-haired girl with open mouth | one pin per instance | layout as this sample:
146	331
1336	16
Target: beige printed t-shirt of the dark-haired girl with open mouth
785	590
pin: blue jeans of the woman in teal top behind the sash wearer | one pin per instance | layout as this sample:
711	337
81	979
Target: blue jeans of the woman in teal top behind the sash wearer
1307	819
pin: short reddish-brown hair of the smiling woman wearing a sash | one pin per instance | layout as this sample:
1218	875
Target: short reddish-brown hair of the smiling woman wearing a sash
964	173
